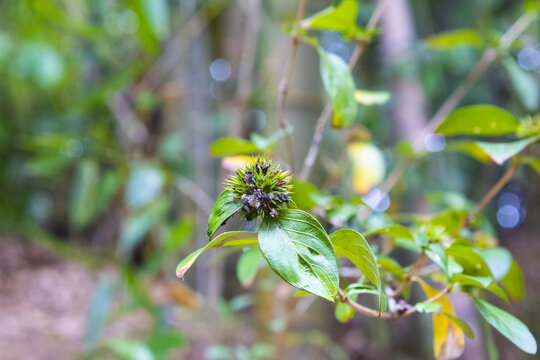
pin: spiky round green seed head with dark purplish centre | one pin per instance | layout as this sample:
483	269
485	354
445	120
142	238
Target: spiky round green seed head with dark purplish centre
261	186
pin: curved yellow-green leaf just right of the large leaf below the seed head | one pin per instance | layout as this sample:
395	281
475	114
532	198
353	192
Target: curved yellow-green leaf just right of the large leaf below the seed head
352	245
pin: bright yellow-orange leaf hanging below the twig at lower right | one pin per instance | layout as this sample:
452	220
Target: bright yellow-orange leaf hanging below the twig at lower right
448	338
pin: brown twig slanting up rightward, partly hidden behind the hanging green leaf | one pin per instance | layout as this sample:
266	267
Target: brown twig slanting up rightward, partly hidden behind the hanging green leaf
313	150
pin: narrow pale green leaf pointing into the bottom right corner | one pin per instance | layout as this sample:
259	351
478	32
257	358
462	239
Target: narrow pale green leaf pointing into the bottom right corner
508	325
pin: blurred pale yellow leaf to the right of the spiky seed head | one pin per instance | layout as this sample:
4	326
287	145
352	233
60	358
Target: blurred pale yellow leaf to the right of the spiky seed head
367	166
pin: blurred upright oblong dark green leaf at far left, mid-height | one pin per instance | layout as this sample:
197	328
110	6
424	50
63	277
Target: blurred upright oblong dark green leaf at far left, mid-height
84	192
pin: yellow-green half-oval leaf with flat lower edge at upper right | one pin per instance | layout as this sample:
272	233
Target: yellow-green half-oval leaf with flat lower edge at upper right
479	120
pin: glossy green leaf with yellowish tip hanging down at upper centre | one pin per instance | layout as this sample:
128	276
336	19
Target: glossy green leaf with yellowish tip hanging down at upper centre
339	84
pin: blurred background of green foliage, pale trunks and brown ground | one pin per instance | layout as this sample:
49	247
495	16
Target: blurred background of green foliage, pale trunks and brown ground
108	113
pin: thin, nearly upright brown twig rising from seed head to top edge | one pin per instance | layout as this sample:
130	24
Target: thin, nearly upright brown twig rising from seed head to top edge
284	83
